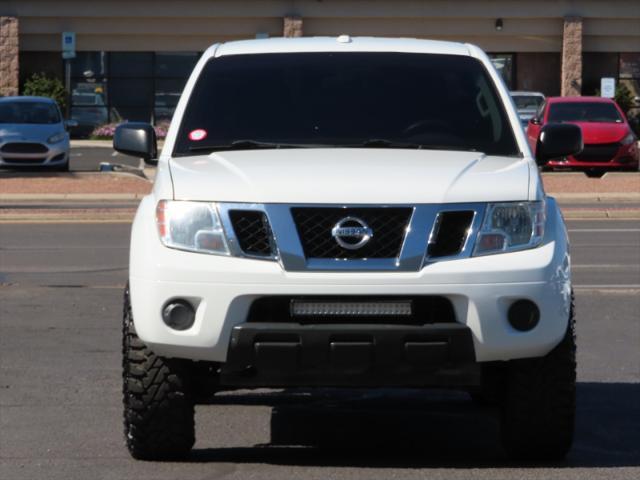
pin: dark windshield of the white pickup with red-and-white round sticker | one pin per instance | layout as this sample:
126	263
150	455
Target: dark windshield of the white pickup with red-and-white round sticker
345	100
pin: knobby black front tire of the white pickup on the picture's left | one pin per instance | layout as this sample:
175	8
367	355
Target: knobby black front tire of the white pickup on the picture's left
158	403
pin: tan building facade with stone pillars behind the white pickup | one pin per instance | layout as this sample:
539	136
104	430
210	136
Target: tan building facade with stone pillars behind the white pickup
133	56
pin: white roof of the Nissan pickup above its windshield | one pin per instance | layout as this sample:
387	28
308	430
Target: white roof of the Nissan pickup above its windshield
342	43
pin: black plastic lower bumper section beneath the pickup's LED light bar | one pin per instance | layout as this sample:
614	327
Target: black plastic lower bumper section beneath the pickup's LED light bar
280	355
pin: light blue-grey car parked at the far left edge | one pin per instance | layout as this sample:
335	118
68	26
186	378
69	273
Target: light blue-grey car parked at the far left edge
32	134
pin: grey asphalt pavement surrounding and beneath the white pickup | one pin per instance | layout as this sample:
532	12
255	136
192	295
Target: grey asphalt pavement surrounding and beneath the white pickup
60	405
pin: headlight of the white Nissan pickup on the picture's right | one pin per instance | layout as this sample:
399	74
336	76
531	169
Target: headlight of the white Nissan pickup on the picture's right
511	226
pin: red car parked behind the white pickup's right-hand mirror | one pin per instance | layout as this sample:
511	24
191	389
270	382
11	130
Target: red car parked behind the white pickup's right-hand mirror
609	141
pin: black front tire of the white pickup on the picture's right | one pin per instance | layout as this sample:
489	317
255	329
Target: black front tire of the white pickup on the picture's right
538	411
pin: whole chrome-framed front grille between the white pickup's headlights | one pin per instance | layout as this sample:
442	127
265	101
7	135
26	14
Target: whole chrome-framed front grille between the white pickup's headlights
304	237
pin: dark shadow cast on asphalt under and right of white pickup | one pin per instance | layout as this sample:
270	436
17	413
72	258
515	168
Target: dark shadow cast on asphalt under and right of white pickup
412	428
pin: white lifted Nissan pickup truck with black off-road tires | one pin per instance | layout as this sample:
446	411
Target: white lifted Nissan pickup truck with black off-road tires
324	215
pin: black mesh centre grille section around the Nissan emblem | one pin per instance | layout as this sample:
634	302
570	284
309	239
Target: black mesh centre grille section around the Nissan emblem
315	224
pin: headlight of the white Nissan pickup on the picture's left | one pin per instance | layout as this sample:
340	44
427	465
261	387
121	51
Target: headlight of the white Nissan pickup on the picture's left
191	226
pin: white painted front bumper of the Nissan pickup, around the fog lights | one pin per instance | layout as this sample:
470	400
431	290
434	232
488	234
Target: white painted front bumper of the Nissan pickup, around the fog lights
222	289
